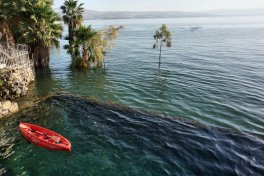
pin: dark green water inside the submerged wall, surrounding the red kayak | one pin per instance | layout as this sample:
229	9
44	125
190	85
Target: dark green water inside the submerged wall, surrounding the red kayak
111	140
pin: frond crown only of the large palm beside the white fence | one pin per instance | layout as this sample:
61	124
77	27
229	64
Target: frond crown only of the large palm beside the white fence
42	27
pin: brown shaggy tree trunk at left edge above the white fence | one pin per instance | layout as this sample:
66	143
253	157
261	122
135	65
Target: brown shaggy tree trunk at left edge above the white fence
7	35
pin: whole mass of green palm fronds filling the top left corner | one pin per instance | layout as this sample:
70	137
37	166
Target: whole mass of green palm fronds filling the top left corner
33	21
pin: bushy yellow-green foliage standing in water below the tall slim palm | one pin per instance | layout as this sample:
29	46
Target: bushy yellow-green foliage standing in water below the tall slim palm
90	46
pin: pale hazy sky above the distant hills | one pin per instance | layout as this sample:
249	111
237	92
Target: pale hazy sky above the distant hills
165	5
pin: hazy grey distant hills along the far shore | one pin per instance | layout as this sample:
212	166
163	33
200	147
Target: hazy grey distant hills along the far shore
93	15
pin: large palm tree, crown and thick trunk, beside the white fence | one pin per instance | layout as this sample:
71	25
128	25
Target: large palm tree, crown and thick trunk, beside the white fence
41	30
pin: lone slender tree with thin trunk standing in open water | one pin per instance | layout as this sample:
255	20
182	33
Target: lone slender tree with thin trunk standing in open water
162	37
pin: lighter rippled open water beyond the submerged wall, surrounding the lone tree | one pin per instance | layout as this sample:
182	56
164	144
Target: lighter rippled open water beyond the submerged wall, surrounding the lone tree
213	73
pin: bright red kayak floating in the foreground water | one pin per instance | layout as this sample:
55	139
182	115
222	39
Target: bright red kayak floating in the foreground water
43	137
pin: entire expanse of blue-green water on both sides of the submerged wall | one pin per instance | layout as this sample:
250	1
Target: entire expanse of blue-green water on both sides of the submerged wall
212	76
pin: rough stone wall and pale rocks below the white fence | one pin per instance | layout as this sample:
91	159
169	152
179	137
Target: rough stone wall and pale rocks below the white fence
14	83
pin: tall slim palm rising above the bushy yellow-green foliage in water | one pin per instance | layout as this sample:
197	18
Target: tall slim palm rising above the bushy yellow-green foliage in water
72	16
